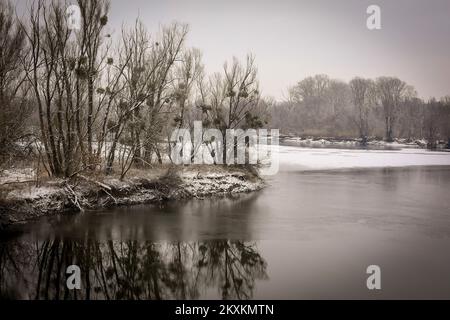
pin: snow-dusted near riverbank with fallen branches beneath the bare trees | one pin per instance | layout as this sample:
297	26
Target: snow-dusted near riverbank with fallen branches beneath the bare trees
21	200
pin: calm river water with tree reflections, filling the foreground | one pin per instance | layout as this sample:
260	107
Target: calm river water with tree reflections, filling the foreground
308	235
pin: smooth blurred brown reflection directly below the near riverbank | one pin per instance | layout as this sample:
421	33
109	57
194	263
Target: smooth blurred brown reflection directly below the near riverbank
193	220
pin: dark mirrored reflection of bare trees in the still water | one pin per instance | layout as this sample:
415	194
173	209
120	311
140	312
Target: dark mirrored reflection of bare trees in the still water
130	270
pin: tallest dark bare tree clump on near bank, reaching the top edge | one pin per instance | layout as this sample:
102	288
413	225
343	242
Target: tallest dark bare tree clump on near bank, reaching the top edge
62	66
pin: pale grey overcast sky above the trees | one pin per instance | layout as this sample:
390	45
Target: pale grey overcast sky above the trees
293	39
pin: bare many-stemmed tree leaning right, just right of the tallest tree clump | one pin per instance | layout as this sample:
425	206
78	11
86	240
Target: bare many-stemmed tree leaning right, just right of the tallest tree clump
147	75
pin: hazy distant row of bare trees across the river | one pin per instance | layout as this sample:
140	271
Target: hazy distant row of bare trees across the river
384	108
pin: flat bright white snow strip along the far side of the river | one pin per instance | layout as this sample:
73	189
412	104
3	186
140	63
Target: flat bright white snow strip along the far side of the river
319	159
